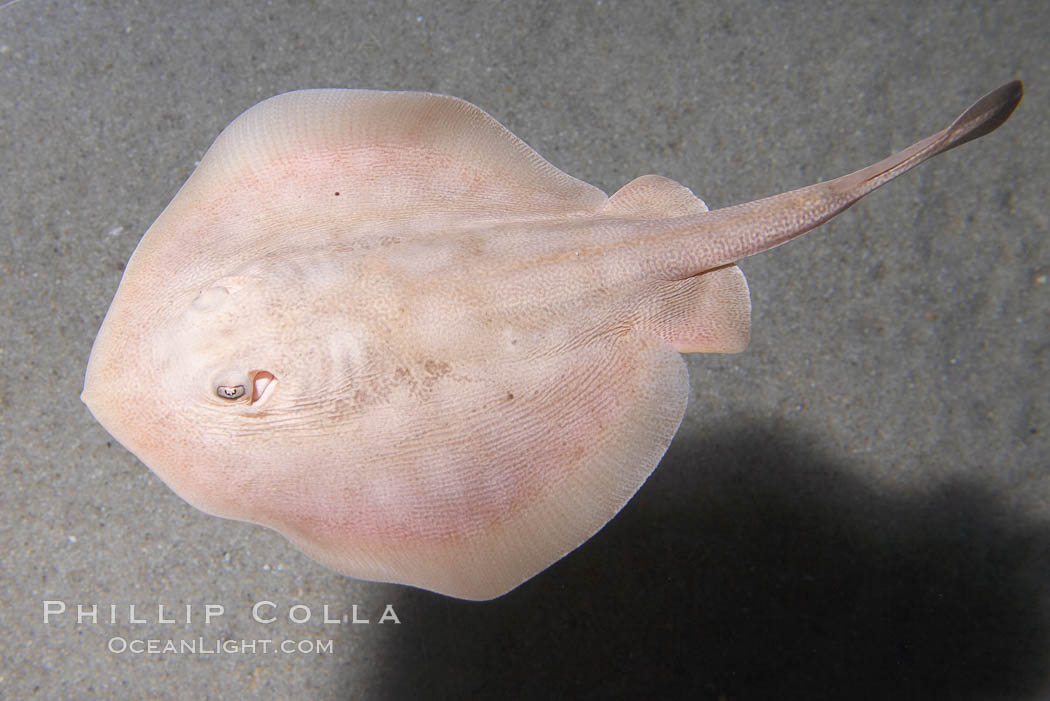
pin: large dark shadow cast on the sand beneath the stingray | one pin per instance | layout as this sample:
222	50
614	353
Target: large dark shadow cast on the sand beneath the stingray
769	573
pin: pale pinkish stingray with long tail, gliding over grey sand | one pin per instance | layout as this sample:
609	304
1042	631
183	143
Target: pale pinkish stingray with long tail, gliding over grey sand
382	325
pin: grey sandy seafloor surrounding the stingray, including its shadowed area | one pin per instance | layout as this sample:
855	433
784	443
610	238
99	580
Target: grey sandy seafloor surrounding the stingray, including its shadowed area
856	507
